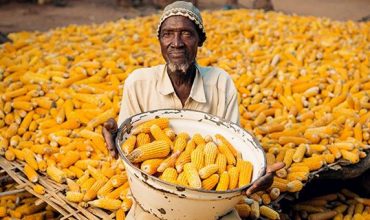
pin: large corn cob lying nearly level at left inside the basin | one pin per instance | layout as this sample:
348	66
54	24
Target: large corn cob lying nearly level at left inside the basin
155	149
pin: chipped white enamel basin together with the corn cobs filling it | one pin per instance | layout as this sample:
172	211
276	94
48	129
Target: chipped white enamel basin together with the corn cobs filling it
185	164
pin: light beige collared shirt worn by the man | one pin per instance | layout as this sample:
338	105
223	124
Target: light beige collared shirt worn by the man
147	89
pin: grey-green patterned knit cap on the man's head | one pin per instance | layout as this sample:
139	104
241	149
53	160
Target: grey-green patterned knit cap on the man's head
186	9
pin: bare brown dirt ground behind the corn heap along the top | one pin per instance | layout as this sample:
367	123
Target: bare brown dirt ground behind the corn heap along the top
19	16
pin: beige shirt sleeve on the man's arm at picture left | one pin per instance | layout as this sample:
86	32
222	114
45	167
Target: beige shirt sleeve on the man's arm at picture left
129	104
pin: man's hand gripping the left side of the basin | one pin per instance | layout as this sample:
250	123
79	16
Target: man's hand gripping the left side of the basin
109	133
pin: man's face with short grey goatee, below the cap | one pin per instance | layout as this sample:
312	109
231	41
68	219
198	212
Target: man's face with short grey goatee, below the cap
179	42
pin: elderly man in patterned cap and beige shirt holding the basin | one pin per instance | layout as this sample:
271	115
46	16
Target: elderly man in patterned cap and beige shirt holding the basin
181	83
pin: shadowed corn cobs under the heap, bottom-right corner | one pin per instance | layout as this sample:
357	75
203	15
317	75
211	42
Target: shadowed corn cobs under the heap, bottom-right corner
342	205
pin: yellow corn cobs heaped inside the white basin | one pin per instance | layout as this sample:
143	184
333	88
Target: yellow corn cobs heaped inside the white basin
198	162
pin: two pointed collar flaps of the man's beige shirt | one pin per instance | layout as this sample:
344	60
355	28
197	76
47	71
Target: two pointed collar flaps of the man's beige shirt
197	92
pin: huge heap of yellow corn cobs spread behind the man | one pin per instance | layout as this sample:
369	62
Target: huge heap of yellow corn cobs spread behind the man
303	86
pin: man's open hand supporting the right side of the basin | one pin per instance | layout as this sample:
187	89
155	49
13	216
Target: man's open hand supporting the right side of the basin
265	181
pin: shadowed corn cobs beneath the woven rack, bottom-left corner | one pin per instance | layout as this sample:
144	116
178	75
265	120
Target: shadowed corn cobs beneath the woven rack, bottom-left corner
22	205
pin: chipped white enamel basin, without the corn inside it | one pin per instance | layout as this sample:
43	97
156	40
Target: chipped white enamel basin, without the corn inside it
170	201
